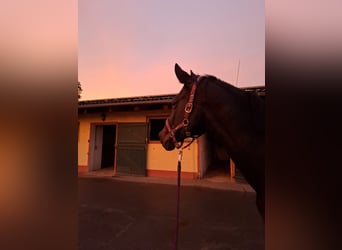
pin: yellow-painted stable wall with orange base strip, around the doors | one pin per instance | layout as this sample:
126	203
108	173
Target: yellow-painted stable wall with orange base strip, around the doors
159	161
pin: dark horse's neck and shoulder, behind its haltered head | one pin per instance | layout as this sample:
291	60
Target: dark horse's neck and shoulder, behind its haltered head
229	122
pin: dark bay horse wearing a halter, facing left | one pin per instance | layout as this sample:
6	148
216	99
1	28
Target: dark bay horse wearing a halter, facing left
233	117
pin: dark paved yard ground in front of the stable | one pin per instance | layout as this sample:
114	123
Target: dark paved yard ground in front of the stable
139	213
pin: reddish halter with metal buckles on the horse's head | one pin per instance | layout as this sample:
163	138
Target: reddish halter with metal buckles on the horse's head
185	122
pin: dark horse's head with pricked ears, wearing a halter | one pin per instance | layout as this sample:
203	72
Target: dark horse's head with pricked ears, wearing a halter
186	117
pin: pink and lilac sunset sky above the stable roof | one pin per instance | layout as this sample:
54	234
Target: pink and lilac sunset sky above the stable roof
128	48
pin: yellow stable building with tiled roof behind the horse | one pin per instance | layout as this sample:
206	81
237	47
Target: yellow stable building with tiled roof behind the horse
122	134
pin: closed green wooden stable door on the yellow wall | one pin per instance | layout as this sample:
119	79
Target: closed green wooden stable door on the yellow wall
131	149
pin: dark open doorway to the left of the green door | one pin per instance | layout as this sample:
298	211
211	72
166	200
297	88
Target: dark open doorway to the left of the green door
102	146
